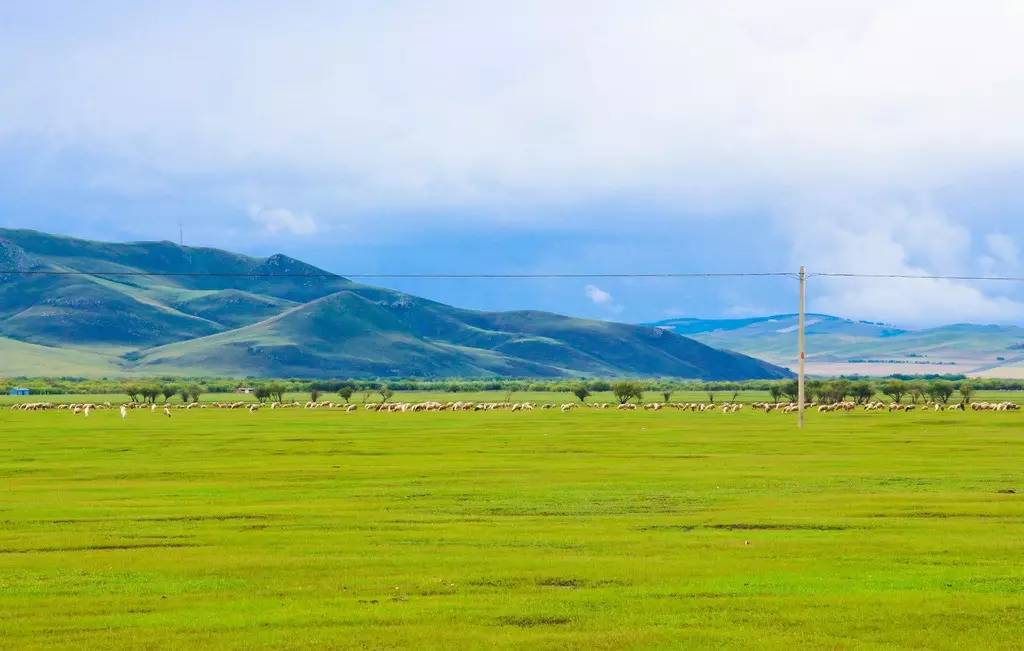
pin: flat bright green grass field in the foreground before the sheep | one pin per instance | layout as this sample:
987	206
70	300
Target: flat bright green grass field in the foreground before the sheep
590	530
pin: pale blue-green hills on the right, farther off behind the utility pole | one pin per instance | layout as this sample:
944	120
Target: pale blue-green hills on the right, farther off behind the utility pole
838	345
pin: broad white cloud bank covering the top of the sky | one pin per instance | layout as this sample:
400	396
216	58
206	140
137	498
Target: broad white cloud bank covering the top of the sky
471	104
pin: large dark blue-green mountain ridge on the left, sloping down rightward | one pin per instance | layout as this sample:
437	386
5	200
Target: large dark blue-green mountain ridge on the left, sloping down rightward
281	318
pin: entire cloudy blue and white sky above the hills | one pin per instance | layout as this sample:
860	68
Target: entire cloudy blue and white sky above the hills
547	137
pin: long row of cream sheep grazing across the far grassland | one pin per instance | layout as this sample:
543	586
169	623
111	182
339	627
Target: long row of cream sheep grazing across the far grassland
432	406
